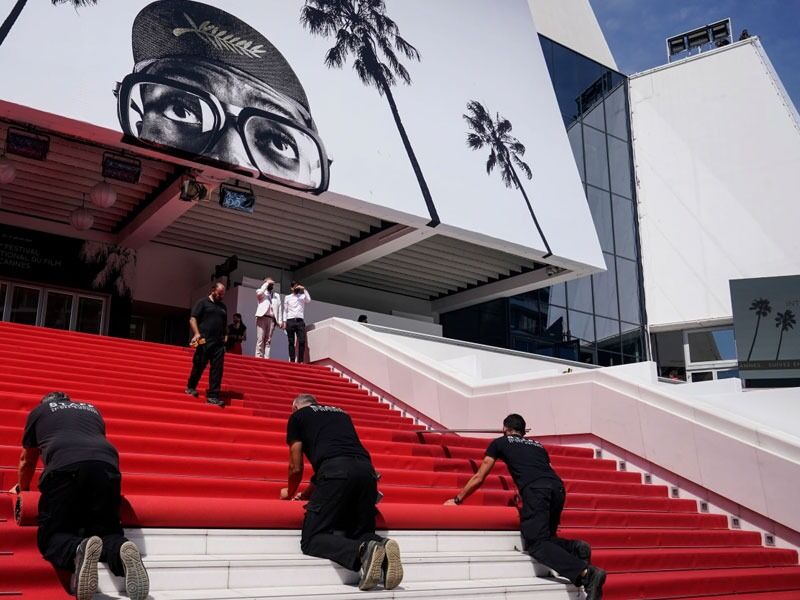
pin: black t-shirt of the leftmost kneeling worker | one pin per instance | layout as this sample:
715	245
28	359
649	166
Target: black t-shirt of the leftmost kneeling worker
67	433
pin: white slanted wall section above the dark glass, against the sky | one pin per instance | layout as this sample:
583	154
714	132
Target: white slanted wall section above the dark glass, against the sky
572	23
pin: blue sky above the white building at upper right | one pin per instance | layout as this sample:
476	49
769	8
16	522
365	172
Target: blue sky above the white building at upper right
636	30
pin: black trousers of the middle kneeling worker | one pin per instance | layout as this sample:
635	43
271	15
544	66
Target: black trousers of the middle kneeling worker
340	514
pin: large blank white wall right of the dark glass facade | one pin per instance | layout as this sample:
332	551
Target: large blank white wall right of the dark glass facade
717	151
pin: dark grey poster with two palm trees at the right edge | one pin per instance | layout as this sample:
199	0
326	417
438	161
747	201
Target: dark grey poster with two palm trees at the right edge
765	314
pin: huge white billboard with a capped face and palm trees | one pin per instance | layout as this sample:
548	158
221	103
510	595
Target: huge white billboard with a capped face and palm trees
439	113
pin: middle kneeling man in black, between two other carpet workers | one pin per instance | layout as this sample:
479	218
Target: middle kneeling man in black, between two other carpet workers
342	494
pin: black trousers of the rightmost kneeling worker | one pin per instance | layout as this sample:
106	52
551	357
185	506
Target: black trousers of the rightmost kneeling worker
539	519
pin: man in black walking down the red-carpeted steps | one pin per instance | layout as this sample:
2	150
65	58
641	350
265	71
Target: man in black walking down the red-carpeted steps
209	321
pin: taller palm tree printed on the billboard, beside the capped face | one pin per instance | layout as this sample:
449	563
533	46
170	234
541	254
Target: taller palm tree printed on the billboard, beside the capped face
362	29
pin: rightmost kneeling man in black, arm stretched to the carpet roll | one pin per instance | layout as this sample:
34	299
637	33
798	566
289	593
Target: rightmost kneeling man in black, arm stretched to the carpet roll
543	496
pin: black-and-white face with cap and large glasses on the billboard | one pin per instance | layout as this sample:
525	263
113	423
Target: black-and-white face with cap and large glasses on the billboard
208	85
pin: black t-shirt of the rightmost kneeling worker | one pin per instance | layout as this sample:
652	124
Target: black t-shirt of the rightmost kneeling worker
527	461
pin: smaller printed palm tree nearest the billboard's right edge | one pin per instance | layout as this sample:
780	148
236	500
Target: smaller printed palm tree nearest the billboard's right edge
505	151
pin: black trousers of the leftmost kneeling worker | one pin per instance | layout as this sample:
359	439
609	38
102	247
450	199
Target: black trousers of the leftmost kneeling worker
79	501
